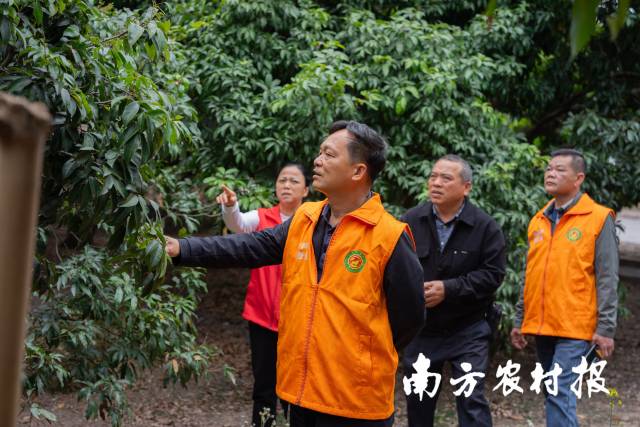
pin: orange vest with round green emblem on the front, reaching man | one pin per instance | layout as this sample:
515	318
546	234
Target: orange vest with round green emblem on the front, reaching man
335	346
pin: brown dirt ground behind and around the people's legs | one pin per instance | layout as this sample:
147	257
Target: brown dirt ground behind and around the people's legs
215	401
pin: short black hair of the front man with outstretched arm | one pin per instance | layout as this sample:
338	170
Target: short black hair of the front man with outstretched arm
365	145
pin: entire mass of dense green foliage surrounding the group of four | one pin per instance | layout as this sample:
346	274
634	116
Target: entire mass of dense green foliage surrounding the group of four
157	106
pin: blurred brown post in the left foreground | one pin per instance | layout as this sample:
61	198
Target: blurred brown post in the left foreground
24	127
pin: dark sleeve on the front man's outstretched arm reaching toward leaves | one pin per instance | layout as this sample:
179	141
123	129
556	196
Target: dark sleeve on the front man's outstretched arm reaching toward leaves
250	250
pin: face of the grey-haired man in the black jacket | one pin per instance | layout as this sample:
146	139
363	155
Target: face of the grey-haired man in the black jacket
446	187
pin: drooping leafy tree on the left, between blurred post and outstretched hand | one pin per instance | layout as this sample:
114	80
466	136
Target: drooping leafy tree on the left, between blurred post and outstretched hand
102	311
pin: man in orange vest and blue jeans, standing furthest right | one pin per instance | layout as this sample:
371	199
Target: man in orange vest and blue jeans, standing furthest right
569	299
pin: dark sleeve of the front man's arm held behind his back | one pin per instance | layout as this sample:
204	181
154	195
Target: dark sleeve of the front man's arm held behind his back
404	290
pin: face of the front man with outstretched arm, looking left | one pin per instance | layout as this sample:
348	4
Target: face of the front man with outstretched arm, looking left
333	169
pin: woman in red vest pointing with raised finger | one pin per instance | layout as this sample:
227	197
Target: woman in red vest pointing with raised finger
262	304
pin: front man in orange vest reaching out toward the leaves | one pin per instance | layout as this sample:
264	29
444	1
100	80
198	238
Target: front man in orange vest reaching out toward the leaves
352	292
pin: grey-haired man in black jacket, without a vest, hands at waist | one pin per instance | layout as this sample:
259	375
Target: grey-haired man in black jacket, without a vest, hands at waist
462	252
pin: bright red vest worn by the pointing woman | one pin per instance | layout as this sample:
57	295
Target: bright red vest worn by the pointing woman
262	304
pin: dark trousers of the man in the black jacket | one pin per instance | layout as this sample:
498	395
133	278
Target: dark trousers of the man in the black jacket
469	345
